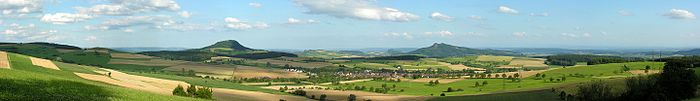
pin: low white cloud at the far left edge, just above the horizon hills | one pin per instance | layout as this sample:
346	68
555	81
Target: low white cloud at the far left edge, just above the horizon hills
28	32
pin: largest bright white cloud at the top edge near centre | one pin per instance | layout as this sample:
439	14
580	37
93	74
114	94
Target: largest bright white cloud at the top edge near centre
357	9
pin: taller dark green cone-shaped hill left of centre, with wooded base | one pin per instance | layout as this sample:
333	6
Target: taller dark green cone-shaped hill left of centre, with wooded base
229	48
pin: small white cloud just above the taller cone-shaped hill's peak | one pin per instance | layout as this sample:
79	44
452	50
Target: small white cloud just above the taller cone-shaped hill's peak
236	24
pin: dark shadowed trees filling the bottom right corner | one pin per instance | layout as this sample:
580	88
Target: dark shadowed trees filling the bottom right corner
677	82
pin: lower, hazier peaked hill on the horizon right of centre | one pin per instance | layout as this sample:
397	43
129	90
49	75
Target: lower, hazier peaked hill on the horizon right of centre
446	50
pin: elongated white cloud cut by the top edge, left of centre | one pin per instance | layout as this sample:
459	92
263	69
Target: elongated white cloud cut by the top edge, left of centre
130	7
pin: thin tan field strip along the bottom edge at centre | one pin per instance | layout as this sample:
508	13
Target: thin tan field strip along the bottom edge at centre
337	95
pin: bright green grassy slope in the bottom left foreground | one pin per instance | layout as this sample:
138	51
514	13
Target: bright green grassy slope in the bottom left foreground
28	82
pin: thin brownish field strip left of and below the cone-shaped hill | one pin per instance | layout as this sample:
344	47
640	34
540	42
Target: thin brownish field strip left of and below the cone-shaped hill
149	62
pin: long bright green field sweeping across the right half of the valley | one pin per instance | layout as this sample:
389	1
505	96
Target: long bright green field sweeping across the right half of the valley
500	85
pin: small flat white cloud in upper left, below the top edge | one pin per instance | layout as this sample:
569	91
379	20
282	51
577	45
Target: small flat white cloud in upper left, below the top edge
64	18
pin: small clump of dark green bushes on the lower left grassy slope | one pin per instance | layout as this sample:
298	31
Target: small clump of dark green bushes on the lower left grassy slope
194	91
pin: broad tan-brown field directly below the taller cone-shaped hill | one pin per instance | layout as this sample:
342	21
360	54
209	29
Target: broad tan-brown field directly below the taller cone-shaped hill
238	71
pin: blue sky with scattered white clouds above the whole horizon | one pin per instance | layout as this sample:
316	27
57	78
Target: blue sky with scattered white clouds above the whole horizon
332	24
